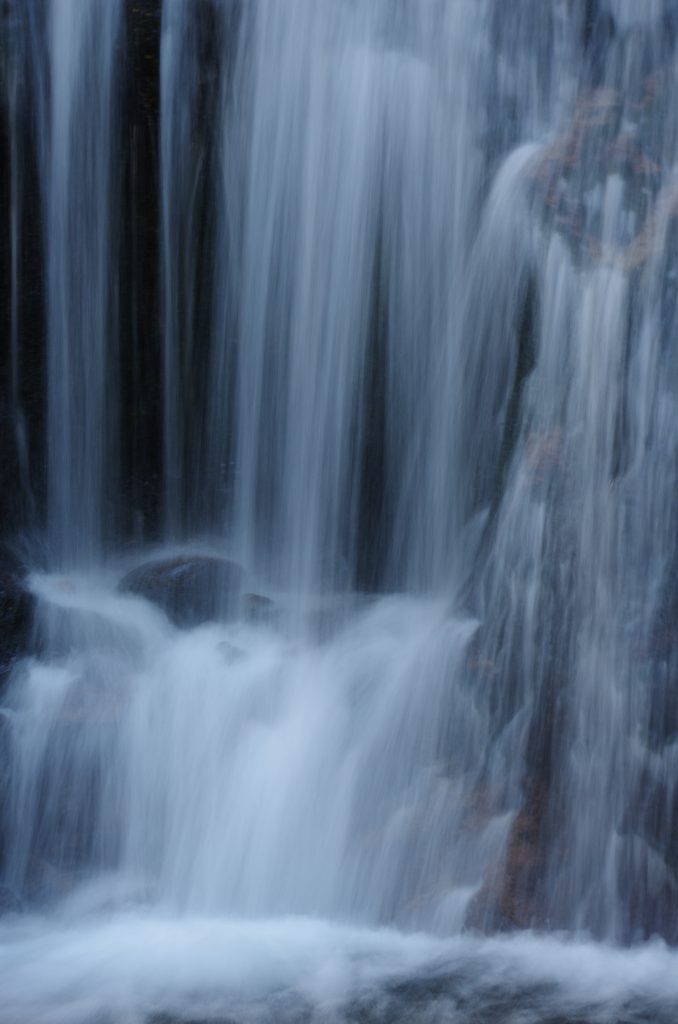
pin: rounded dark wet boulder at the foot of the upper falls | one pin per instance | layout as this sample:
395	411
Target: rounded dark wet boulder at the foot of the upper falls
190	590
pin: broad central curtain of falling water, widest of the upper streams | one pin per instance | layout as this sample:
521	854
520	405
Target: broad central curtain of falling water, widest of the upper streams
362	173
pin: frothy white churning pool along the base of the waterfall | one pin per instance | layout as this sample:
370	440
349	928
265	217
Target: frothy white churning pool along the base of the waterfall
139	966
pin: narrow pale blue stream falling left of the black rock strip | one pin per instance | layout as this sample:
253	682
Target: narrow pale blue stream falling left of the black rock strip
81	192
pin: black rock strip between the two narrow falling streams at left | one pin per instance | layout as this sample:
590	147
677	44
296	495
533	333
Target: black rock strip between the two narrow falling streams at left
141	334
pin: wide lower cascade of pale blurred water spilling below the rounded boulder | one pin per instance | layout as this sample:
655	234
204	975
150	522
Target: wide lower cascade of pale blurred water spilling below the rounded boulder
235	822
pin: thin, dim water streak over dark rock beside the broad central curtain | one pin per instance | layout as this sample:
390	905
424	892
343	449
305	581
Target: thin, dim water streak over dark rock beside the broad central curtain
196	45
